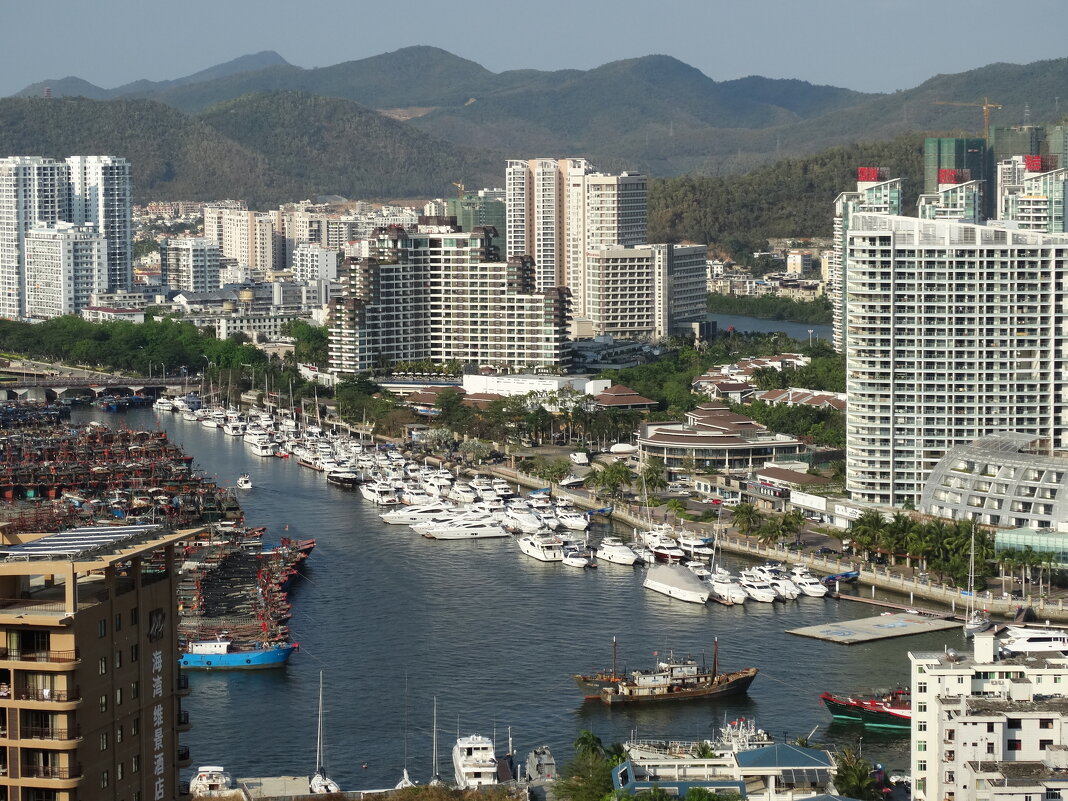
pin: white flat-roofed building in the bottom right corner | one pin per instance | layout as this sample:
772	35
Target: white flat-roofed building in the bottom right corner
987	728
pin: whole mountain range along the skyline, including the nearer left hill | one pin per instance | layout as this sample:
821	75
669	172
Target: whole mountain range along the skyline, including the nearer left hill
412	122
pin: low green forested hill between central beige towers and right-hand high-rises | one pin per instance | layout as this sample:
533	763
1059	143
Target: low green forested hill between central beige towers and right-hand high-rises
793	198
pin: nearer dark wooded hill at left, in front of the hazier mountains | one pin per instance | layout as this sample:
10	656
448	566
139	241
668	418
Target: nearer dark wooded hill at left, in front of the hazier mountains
265	149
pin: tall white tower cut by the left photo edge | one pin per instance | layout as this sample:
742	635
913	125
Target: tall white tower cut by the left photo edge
33	191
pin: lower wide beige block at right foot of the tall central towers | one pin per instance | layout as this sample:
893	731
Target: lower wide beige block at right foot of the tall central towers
643	292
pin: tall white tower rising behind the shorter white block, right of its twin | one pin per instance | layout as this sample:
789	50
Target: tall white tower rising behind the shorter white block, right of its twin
101	194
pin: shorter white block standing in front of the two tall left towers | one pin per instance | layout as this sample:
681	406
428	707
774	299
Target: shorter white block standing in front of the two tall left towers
66	265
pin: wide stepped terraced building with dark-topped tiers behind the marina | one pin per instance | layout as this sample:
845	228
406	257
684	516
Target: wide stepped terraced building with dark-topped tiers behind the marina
442	294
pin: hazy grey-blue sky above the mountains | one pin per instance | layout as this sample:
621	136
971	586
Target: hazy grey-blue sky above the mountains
869	45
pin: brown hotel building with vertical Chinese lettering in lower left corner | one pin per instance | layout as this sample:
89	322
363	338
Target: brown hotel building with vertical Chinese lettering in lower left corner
89	681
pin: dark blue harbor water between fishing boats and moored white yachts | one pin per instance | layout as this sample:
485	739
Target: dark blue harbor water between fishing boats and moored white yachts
396	621
